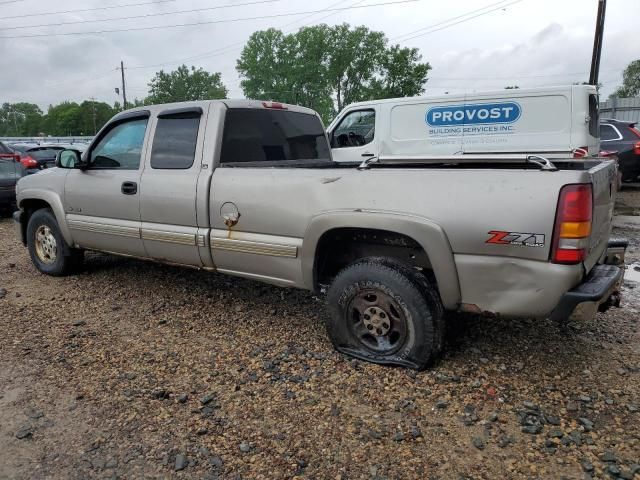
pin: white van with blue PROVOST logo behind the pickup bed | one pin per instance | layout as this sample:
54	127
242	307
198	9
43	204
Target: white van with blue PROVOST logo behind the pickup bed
550	121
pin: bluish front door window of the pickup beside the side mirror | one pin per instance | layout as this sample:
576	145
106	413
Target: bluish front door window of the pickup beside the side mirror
121	147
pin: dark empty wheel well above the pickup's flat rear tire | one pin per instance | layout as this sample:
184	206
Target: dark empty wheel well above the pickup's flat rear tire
342	246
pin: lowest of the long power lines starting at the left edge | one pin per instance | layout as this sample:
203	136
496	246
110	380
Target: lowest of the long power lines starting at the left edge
209	22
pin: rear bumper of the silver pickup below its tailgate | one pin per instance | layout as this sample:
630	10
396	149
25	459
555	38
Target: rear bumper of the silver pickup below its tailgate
600	289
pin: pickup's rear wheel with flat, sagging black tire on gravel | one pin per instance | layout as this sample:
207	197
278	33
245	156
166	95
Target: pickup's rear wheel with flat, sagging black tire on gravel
384	312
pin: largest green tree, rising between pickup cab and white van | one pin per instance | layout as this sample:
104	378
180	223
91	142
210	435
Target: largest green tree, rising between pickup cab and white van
326	68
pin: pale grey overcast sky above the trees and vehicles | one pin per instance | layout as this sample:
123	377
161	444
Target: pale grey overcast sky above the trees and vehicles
527	42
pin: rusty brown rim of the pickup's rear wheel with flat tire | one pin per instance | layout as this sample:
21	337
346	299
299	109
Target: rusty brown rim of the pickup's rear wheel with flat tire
377	322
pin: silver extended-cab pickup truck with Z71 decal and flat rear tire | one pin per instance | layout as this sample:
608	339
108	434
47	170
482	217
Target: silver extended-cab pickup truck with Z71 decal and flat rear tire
249	188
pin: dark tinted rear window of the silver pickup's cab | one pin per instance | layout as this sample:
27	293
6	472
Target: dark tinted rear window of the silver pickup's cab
264	135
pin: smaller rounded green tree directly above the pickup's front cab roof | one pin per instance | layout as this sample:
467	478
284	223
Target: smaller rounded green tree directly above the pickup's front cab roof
185	84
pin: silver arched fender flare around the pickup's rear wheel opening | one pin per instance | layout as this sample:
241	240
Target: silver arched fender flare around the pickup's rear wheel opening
427	233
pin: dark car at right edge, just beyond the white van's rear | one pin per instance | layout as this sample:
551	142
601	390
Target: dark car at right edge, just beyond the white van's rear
624	139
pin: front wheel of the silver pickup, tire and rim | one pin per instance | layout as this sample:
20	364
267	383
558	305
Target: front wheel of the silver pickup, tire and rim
48	250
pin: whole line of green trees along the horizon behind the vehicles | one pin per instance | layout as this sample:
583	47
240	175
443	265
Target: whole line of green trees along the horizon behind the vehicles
321	67
